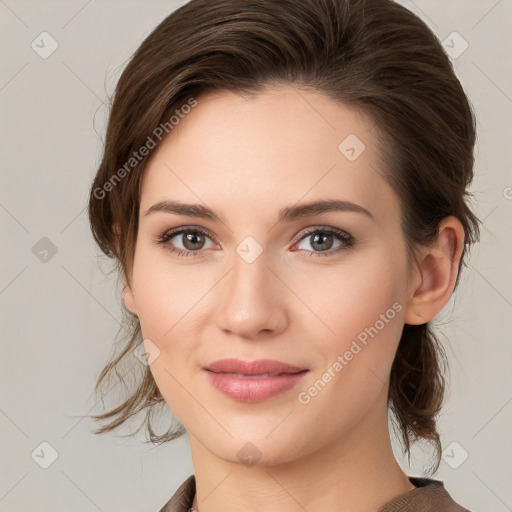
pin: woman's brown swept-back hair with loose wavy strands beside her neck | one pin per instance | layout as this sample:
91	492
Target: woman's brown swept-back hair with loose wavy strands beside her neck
374	55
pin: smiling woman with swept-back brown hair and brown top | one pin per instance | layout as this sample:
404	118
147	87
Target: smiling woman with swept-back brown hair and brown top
284	189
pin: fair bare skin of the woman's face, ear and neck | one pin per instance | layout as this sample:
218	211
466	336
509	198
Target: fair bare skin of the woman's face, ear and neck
246	159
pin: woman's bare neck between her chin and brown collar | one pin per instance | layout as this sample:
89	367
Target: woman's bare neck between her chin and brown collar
357	473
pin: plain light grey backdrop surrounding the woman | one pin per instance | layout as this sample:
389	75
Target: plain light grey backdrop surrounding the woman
60	317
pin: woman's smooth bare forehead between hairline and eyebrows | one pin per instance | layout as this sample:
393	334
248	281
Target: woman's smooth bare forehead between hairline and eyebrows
277	148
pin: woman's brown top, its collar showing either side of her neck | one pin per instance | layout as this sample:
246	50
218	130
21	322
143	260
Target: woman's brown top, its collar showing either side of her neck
429	496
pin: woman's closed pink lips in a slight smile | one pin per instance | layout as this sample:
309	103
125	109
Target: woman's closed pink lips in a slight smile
249	386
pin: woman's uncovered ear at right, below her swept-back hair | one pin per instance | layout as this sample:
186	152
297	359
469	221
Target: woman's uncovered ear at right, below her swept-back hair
436	274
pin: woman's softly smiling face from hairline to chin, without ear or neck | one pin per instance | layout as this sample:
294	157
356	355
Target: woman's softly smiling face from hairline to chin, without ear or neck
266	278
